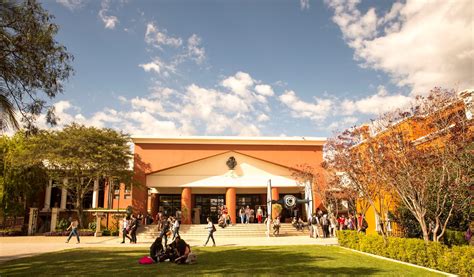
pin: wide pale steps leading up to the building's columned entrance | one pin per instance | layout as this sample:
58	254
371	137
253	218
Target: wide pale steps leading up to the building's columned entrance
239	230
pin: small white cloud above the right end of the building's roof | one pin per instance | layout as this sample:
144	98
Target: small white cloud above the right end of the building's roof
317	111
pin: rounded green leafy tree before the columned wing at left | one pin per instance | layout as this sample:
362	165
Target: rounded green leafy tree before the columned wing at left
82	154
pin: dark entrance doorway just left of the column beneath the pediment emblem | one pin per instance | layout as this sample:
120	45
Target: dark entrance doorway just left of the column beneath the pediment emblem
209	205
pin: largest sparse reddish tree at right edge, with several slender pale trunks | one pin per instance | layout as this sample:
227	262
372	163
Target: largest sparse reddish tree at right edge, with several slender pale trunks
431	174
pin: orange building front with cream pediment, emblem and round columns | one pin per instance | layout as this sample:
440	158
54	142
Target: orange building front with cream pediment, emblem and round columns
190	176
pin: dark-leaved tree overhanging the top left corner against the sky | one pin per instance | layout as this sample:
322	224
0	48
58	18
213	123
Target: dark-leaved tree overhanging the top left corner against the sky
31	62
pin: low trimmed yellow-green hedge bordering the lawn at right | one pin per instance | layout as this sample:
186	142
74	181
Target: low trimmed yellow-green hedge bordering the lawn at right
457	259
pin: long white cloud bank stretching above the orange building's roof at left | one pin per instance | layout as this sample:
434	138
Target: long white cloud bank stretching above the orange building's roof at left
166	111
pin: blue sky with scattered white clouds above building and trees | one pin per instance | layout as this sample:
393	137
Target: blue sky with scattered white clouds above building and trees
255	68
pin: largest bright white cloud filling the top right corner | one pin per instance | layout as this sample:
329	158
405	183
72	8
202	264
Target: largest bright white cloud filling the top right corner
420	44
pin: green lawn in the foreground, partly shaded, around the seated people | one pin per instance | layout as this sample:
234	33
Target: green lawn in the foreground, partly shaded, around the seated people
274	260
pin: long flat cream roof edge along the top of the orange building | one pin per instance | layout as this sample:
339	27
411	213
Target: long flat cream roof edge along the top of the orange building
314	141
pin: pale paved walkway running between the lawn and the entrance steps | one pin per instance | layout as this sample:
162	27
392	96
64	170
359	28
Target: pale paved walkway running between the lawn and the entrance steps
19	247
